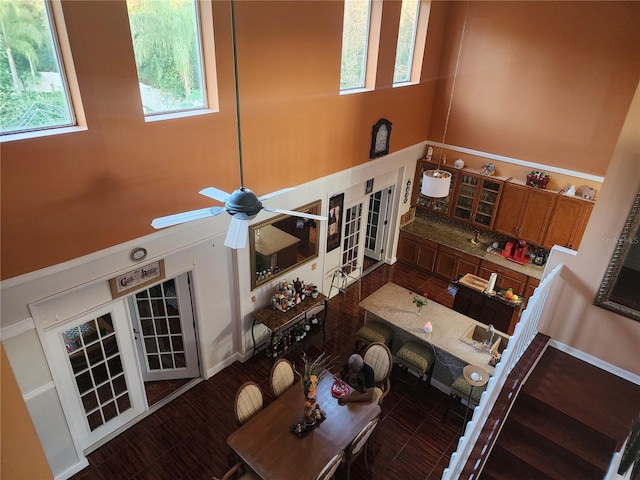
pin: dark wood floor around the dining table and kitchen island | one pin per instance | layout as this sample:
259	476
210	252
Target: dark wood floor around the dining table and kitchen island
186	439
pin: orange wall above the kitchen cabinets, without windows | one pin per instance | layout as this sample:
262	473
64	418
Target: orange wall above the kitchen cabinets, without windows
546	82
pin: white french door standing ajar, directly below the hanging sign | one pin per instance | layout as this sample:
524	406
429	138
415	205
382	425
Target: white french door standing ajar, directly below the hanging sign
163	324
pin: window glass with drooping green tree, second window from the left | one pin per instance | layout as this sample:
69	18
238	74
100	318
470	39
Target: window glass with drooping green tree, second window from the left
166	42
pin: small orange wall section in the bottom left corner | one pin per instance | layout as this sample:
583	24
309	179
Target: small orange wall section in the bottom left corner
22	454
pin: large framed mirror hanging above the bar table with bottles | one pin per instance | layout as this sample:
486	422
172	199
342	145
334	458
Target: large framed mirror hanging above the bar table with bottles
282	243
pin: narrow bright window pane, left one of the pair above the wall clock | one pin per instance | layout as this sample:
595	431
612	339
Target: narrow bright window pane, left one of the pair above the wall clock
355	39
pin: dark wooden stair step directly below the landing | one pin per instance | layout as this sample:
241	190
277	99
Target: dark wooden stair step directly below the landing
568	433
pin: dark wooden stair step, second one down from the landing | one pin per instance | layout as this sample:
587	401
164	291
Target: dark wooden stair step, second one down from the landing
534	449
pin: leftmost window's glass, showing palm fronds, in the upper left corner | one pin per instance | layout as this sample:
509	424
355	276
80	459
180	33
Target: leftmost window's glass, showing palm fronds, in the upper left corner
33	89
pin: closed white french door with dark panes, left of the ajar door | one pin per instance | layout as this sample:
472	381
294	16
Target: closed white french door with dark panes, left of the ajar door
97	372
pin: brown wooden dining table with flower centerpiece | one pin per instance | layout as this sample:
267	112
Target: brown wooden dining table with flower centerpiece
268	446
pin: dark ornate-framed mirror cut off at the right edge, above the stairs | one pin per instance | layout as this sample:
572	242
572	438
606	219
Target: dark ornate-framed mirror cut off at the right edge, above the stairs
619	288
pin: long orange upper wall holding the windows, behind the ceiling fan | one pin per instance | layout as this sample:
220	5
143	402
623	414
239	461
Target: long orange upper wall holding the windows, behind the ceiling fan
65	196
